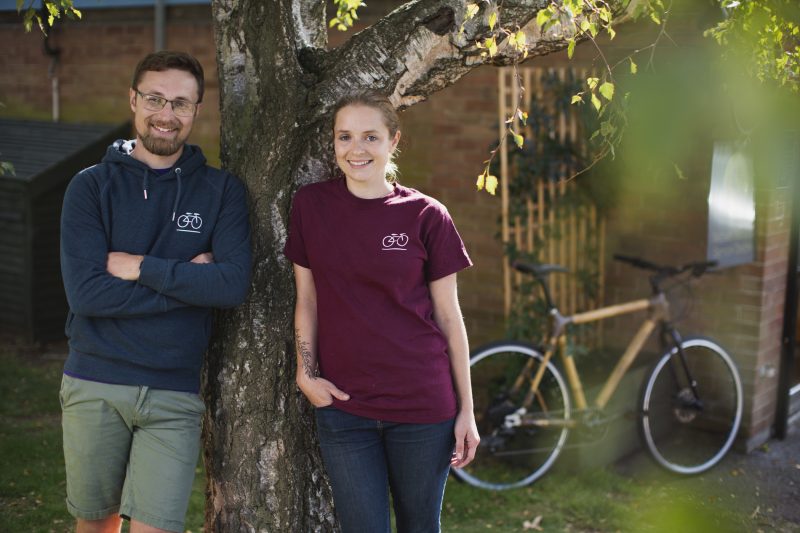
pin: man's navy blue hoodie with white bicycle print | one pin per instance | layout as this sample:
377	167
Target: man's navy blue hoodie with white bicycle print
153	331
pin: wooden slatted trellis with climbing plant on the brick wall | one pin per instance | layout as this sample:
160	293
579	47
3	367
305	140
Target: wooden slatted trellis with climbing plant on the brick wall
578	228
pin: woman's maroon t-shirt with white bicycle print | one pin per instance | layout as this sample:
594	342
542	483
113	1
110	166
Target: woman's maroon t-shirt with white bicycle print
372	261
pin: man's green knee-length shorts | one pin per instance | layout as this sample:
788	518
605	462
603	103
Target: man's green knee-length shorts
129	450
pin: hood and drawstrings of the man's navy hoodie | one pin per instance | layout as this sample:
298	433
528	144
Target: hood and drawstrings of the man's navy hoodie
190	160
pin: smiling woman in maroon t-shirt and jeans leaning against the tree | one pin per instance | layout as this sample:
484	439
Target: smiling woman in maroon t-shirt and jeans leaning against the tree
382	350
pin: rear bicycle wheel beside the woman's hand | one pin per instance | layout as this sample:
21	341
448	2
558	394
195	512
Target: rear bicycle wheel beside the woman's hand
513	451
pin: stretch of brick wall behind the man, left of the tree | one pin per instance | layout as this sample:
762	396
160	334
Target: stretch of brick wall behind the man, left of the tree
98	55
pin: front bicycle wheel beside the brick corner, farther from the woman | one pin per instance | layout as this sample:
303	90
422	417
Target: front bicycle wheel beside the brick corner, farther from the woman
689	434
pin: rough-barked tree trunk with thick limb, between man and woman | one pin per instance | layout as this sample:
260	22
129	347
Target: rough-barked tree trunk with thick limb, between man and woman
278	82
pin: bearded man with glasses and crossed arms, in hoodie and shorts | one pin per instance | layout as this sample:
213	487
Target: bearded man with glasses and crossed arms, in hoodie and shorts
151	240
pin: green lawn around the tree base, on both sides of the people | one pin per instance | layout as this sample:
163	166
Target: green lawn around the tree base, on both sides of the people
32	487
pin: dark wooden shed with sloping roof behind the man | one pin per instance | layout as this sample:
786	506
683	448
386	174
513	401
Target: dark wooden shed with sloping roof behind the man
45	155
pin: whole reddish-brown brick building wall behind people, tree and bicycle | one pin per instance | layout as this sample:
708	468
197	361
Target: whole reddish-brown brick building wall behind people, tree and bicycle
445	141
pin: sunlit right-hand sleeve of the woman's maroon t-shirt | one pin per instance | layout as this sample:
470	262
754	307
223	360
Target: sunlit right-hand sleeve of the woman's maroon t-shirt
446	251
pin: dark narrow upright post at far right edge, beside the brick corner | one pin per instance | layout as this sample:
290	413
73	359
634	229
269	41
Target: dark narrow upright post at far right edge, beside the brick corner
789	337
